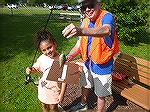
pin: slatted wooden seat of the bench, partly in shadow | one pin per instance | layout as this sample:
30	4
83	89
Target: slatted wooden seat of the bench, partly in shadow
134	93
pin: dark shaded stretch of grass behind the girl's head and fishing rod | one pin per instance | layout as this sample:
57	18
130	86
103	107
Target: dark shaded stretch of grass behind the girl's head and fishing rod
17	34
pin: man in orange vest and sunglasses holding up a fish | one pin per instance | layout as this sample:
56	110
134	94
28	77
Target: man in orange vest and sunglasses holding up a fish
97	45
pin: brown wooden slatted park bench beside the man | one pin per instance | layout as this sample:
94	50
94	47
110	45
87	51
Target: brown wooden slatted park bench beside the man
136	87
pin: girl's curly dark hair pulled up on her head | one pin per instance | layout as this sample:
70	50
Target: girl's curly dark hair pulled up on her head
43	35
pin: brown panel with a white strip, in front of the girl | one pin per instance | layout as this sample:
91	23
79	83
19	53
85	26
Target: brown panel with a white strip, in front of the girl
70	72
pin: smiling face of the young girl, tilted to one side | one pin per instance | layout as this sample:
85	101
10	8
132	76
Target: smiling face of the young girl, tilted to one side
48	48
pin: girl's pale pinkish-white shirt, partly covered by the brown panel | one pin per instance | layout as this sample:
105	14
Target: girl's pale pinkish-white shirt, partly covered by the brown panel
48	91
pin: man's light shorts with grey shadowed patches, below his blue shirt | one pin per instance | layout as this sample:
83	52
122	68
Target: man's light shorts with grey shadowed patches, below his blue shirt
101	83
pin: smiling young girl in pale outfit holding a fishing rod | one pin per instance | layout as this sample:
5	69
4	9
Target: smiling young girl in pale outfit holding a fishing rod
49	92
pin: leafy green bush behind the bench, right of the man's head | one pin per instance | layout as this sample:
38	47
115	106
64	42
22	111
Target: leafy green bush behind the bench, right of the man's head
131	19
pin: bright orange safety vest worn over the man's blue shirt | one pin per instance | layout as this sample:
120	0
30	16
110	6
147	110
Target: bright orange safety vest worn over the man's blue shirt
100	53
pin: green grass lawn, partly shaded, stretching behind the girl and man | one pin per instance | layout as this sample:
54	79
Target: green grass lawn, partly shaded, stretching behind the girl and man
17	50
